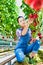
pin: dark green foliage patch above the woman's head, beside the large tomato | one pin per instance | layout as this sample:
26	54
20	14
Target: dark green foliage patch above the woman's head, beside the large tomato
26	9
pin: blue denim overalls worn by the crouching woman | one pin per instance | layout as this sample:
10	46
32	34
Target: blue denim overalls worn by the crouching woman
22	48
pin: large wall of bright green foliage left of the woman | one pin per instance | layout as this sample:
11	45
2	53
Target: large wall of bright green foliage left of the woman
8	17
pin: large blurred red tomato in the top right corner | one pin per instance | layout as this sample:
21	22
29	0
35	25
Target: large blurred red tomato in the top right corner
35	4
